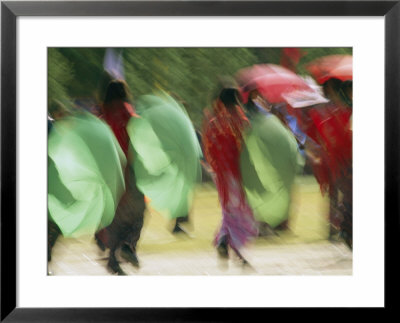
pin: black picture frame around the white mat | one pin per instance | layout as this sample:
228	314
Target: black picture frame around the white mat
10	11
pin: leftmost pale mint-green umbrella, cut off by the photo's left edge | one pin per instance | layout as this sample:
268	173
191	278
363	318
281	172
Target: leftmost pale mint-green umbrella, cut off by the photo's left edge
86	175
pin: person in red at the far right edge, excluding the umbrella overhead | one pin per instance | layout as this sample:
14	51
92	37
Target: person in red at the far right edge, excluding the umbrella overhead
329	151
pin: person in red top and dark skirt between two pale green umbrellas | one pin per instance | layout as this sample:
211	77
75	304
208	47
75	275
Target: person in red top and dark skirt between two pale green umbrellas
124	232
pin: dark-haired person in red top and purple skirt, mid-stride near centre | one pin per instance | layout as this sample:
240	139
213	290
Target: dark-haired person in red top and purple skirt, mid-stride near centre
222	146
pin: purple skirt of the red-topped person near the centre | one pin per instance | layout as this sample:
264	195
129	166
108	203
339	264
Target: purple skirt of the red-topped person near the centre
238	225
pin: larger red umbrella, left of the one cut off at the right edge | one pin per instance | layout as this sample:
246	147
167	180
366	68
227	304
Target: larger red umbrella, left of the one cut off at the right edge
272	81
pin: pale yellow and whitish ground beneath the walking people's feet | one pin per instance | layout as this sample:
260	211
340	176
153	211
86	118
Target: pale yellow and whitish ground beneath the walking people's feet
303	250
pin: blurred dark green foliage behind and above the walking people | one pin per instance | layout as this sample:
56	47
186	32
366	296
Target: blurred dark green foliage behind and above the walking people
190	73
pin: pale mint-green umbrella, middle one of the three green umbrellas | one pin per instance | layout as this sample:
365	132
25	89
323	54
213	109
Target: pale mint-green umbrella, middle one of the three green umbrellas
167	154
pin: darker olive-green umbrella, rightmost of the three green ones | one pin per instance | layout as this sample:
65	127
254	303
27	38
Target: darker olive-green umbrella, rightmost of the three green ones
269	162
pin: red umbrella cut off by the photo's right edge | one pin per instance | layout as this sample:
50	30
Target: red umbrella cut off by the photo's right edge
333	66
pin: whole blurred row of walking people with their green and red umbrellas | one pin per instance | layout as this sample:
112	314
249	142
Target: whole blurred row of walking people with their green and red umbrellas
112	156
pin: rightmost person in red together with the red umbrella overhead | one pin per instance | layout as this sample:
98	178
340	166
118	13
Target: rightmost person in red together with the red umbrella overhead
335	74
